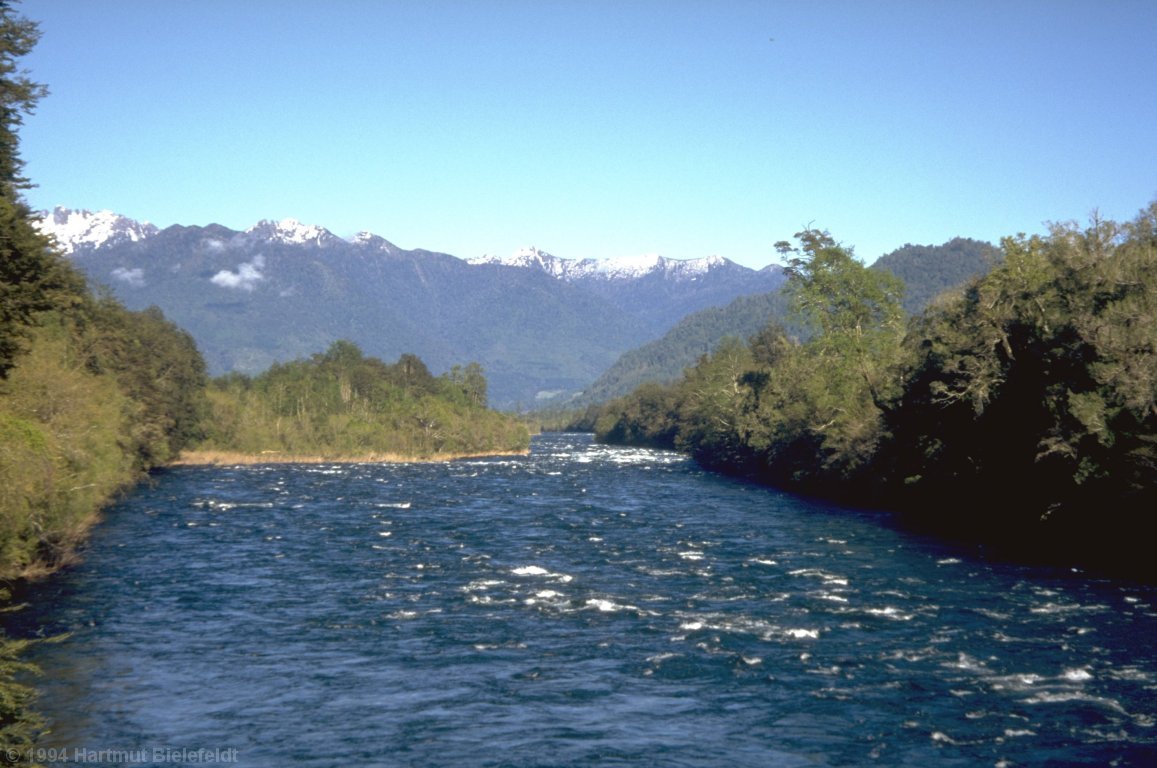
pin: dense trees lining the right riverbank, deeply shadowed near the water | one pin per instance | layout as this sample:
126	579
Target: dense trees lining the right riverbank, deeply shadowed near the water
1018	412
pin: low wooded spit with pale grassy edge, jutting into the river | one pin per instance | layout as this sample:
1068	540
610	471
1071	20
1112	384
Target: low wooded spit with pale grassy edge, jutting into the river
341	405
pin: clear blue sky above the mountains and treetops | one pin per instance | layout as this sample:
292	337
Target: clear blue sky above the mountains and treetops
600	129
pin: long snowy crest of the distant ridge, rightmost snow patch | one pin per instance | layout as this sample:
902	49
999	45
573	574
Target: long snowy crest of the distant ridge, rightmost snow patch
630	268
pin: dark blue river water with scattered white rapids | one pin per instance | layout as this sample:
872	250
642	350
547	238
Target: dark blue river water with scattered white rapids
581	607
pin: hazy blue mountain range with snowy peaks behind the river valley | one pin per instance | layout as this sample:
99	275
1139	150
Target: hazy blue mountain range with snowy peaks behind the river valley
543	328
